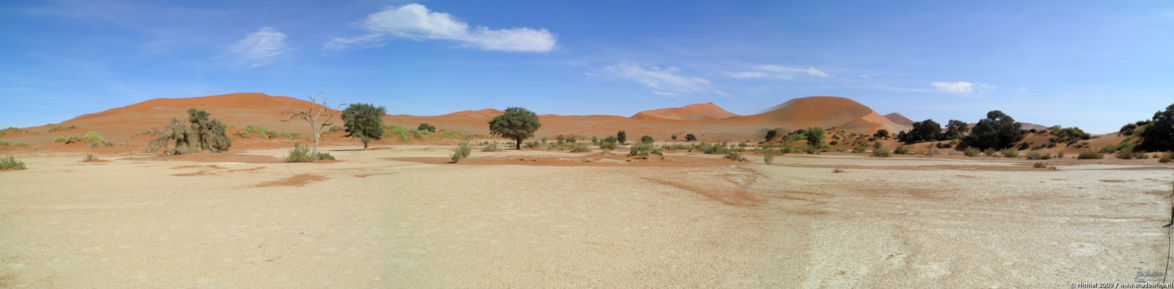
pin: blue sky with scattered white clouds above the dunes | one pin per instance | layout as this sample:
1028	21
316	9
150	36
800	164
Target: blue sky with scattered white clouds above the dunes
1096	65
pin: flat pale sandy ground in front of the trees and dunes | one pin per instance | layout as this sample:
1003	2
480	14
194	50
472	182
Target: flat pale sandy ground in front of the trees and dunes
372	221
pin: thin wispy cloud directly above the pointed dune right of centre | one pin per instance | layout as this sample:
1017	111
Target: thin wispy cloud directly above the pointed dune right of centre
664	82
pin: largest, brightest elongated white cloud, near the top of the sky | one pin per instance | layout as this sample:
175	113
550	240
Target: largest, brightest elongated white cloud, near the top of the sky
417	23
